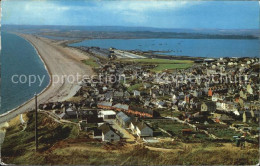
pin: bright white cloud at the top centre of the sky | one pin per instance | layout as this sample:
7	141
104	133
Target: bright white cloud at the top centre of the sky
137	12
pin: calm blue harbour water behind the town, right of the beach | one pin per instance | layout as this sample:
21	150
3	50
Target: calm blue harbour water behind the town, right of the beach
186	47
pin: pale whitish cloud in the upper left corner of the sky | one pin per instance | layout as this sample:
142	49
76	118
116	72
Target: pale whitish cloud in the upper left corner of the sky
34	12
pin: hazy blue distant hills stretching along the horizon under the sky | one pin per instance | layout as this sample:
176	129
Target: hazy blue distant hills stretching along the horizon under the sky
133	32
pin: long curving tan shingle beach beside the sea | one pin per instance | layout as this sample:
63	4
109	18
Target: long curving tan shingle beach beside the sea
59	60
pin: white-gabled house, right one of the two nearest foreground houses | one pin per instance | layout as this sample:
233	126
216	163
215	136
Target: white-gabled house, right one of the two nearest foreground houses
141	128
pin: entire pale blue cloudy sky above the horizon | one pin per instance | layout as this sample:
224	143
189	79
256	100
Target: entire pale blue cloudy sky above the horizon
160	14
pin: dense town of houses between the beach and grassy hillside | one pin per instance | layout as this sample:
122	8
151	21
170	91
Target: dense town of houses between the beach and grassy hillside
213	100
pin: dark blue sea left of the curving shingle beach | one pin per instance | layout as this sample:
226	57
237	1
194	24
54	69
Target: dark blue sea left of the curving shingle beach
19	59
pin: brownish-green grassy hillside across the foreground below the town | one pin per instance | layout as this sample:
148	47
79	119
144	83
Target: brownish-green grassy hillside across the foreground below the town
62	144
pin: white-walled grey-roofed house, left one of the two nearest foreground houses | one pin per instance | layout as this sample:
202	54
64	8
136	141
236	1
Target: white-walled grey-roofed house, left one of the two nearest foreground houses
108	133
